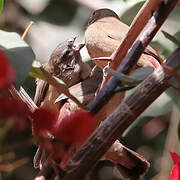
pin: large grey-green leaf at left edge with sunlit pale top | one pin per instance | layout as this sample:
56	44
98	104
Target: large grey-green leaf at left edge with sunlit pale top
19	53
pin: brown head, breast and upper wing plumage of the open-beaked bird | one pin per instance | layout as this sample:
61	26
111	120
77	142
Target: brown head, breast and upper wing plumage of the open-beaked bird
65	63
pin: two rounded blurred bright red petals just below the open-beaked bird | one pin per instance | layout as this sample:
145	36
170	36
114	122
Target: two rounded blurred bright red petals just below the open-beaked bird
72	128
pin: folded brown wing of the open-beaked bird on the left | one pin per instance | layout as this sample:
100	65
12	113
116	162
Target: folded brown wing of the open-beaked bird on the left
41	89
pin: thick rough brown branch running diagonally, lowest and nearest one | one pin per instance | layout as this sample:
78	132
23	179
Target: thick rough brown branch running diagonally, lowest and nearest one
113	126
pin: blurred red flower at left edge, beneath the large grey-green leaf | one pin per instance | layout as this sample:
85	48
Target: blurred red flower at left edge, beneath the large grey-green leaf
7	76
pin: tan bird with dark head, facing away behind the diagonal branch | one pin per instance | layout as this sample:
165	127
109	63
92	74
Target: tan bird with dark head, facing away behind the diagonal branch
104	34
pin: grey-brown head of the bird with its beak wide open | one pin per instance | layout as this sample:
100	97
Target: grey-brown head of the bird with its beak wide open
66	61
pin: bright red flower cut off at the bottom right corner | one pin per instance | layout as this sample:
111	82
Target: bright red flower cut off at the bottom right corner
175	173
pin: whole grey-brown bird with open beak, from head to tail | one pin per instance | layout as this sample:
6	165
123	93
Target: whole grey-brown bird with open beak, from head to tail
65	63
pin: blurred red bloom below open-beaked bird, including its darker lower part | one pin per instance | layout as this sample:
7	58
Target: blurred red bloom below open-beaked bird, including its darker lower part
57	133
